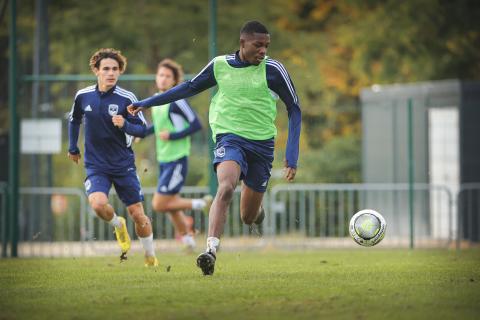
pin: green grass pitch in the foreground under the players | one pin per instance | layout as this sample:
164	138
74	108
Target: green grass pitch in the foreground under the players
330	284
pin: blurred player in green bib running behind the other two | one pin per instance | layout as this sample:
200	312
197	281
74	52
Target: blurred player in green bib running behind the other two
173	124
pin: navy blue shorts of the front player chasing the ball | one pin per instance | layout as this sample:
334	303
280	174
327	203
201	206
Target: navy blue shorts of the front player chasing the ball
254	157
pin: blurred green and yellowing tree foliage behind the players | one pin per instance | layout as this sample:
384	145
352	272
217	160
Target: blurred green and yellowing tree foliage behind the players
331	49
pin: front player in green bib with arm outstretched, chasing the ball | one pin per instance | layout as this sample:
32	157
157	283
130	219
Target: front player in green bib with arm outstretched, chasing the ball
242	116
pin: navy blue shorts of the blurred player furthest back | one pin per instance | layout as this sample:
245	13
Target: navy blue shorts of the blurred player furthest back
172	176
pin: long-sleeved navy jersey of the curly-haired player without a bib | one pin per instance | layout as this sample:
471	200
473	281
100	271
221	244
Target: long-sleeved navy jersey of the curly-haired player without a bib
107	147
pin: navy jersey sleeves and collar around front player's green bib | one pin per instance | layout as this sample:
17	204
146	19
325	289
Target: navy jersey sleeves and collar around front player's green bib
278	81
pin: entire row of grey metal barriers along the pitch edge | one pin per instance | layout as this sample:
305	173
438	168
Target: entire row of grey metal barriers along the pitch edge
59	222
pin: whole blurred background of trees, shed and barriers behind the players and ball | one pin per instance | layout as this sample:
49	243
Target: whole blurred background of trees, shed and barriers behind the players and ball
389	94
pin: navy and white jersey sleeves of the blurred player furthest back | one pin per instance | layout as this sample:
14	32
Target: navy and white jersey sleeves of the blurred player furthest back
179	111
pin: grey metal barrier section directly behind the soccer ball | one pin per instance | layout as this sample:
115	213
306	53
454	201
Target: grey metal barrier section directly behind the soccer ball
318	210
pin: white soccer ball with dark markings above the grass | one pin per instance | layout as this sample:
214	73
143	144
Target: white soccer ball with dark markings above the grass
367	227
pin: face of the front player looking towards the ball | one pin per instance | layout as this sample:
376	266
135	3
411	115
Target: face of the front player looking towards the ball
253	47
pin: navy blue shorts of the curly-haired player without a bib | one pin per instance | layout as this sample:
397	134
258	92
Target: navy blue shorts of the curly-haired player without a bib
126	184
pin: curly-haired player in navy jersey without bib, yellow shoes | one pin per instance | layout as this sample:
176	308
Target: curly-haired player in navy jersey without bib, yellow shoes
109	158
